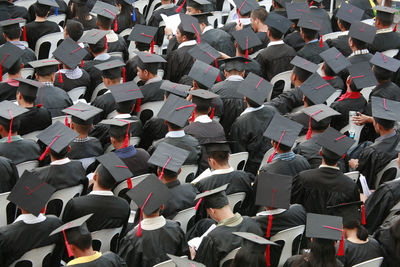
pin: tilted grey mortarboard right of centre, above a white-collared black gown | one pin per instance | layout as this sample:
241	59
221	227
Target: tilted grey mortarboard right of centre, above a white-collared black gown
255	88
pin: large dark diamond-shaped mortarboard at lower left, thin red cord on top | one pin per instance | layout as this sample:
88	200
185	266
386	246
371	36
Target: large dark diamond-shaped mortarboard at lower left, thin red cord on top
31	193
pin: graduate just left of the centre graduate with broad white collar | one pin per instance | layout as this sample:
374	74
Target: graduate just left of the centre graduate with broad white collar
169	160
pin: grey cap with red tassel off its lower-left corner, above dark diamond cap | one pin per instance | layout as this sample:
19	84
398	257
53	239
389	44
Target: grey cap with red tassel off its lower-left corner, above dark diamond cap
56	137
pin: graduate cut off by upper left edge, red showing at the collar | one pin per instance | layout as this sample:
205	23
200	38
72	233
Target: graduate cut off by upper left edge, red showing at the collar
11	55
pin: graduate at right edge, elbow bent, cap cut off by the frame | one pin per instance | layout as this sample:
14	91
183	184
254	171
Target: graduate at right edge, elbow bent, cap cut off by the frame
374	157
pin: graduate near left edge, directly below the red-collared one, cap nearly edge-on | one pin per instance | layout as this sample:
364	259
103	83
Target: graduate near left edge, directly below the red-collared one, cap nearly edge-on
37	118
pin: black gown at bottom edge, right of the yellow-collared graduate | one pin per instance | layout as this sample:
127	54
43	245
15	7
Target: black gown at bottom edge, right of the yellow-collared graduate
152	247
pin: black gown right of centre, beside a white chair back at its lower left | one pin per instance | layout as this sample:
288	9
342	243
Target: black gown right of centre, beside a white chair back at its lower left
247	135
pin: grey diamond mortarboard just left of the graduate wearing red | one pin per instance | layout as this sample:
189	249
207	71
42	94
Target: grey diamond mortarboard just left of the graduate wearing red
317	89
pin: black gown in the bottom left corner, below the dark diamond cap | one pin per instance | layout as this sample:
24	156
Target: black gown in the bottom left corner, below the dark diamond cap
18	238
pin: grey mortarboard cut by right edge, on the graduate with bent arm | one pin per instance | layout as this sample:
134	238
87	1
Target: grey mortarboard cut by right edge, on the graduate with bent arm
386	109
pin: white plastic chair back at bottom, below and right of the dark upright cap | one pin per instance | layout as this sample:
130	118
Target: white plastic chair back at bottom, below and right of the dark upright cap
288	236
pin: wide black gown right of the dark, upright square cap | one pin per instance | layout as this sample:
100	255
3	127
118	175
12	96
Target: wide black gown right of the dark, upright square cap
317	189
